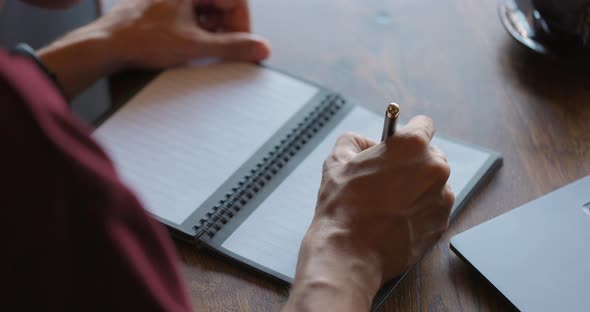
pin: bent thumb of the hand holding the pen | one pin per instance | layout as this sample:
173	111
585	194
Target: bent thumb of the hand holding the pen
348	146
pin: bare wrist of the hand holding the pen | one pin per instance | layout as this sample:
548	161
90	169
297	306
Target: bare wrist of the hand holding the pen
332	273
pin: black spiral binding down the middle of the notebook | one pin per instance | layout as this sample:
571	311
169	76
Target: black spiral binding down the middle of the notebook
269	166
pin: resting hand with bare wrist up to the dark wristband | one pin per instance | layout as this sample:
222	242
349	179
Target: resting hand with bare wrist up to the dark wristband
154	34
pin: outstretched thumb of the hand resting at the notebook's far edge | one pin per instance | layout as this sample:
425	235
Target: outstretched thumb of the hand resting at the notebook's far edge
234	46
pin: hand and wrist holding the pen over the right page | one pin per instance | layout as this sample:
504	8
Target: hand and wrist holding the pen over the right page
380	208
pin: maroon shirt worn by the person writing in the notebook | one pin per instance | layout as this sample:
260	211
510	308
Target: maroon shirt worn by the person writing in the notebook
73	237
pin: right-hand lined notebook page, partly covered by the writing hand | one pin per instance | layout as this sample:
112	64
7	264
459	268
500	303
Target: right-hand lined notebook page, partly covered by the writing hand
271	235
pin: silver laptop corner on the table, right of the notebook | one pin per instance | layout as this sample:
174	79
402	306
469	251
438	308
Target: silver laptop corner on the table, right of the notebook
537	255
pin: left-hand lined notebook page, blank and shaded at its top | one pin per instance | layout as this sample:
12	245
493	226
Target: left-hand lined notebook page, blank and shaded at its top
178	140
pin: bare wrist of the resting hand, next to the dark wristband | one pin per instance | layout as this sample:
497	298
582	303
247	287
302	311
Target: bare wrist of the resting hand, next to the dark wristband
82	57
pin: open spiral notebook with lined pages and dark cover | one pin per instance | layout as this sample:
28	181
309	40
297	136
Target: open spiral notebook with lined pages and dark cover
229	156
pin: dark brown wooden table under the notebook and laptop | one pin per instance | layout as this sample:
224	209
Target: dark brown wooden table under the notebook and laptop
451	60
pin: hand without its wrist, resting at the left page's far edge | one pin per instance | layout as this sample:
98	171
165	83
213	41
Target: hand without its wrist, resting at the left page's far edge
165	33
